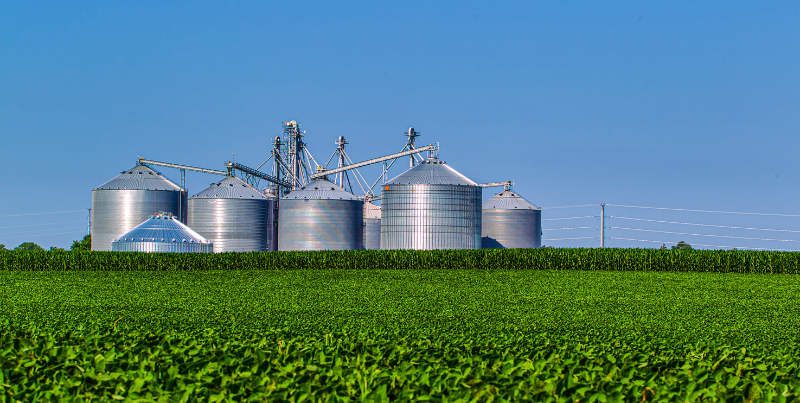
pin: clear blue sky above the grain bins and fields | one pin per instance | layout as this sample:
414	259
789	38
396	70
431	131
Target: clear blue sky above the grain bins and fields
670	104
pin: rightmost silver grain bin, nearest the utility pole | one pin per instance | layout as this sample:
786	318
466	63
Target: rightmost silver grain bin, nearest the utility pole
509	221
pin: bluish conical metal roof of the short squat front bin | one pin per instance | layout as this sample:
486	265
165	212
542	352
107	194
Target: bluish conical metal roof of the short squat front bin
162	227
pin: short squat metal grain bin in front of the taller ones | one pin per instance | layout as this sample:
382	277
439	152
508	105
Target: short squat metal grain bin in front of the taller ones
162	232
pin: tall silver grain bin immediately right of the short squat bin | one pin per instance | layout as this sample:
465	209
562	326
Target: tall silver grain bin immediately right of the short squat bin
233	215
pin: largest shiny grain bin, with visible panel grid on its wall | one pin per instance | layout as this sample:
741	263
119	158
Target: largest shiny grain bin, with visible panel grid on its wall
431	206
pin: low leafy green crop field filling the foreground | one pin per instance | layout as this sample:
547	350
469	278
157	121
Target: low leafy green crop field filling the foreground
398	335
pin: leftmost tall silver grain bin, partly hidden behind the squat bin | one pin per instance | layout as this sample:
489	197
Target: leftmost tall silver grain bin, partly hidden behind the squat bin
129	199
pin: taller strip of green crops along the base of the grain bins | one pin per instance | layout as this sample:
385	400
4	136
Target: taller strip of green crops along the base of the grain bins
720	261
